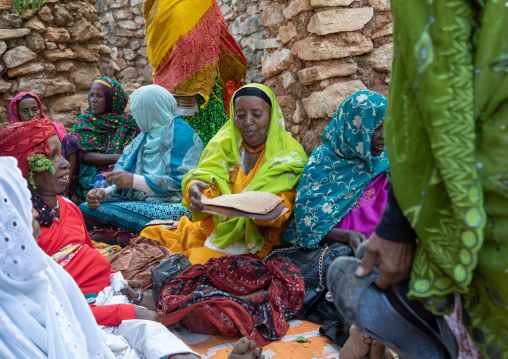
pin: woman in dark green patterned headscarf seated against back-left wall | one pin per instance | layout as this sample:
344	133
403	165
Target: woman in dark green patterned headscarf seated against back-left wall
104	129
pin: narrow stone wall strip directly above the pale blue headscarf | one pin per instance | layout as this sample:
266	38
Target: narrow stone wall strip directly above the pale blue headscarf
122	21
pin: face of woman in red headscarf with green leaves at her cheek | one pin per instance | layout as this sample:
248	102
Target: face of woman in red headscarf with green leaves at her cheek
48	184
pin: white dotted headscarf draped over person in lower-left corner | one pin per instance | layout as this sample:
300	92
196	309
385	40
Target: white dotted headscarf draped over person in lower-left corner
42	311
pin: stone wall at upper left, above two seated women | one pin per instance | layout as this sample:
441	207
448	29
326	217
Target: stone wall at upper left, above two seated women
56	53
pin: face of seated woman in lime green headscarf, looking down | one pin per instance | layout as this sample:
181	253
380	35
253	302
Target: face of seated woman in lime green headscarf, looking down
252	118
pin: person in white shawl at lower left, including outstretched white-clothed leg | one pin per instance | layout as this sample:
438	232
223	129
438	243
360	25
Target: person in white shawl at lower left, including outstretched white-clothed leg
43	313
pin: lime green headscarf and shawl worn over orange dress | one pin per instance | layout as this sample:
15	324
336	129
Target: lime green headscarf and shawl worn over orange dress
281	169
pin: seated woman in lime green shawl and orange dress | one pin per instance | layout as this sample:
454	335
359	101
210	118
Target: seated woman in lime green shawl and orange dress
252	152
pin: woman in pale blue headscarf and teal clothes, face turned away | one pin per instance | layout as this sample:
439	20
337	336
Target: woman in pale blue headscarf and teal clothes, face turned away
147	177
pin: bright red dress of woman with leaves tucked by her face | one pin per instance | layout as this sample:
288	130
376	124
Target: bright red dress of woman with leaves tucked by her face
85	264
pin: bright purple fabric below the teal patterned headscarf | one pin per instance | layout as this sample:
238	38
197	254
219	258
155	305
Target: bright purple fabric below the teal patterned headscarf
367	212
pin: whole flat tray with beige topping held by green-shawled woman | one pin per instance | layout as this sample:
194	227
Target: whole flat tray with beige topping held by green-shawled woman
260	206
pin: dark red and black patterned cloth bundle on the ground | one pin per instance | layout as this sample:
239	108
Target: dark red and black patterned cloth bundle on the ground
213	292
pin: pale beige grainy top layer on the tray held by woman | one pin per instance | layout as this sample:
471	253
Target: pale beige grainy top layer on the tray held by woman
251	202
